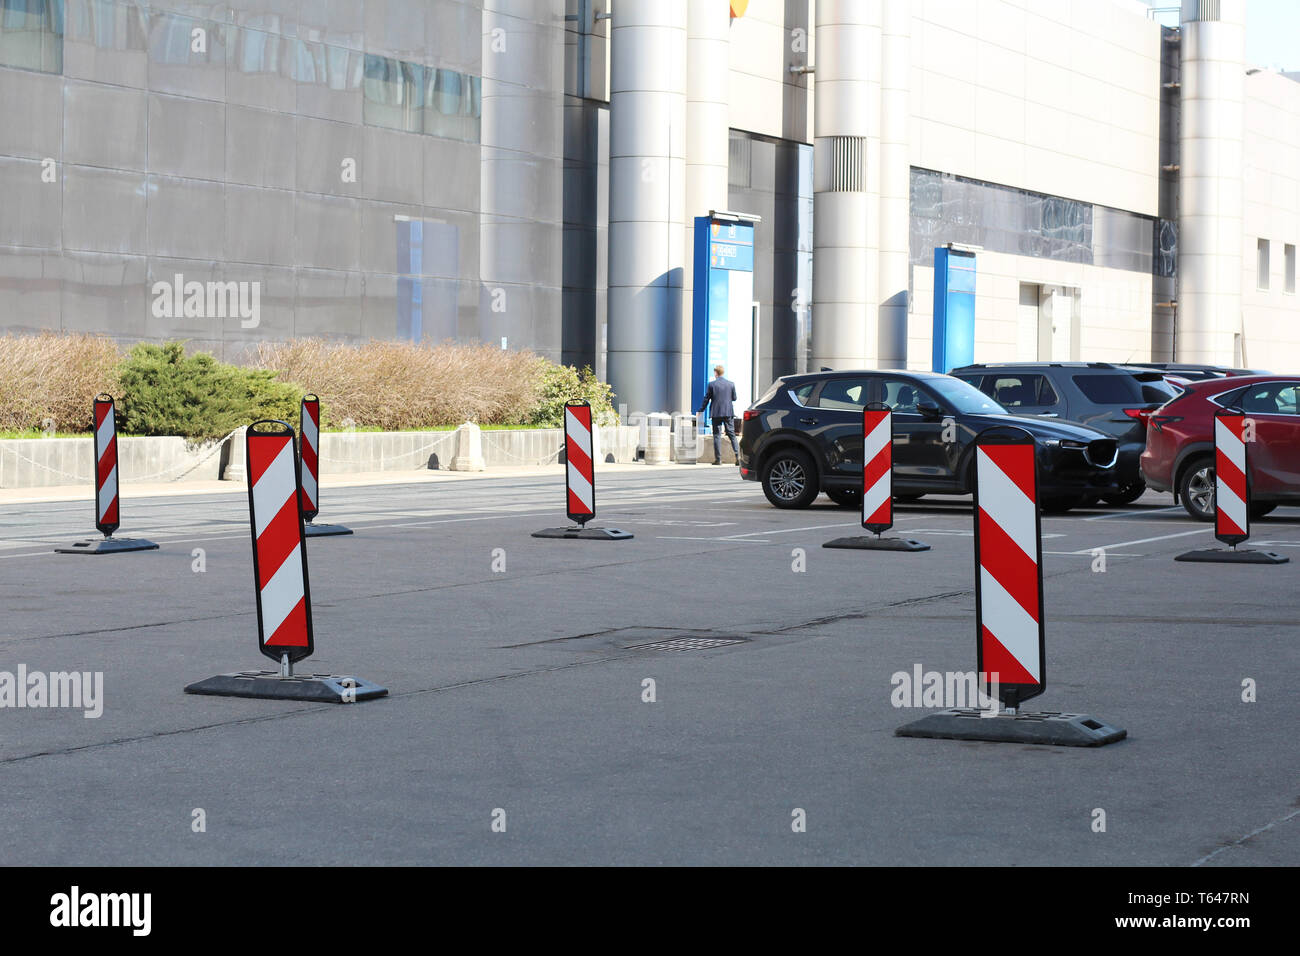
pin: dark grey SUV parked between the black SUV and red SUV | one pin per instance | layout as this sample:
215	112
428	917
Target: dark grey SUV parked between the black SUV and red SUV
1116	400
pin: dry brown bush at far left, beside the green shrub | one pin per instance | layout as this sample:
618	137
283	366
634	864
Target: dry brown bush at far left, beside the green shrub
54	377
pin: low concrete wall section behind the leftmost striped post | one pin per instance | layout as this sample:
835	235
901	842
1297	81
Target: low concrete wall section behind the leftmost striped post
44	462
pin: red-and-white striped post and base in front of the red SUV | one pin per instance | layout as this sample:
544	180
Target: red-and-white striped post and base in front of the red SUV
1234	434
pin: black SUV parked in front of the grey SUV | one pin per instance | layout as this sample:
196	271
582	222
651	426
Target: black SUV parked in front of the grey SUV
805	436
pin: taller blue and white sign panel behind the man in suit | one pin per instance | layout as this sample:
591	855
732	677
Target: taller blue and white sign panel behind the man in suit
723	330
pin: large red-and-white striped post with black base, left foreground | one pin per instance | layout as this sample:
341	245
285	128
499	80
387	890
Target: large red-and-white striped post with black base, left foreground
280	581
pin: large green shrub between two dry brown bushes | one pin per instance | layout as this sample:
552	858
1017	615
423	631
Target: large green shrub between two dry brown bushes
167	392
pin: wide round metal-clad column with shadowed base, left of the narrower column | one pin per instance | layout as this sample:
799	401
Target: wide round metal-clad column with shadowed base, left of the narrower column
648	257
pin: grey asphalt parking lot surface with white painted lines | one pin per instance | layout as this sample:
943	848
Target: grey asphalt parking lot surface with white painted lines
522	690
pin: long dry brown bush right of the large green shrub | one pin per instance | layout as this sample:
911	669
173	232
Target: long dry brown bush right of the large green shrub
397	386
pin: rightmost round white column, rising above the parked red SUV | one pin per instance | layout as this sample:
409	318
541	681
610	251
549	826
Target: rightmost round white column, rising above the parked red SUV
1210	214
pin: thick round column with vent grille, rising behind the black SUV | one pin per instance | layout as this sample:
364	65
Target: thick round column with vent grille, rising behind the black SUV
844	271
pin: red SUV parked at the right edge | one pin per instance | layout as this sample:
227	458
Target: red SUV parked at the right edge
1180	455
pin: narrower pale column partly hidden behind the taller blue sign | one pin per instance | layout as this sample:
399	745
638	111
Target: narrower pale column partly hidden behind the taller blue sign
708	146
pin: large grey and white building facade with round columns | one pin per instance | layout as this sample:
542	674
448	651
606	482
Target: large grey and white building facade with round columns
527	172
